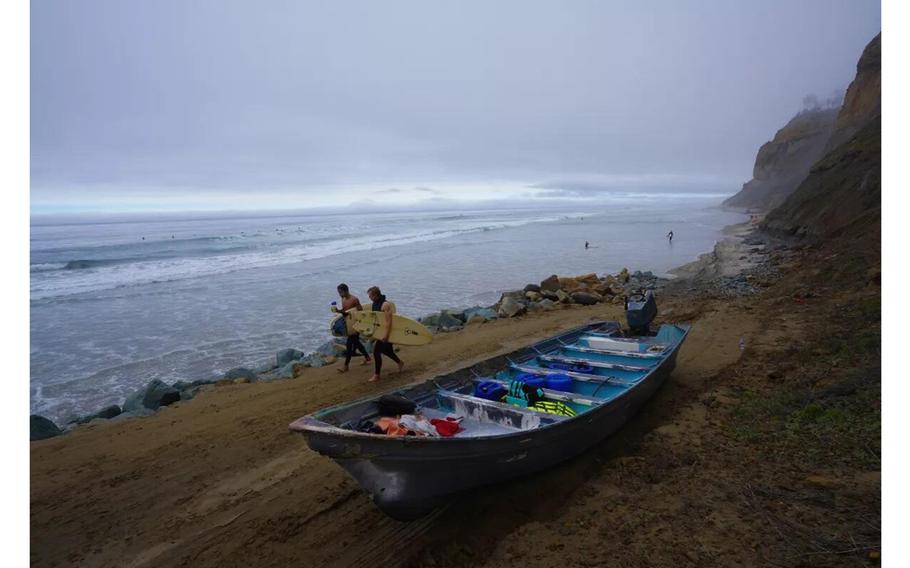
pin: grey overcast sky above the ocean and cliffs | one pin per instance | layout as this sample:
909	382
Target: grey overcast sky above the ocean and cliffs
232	105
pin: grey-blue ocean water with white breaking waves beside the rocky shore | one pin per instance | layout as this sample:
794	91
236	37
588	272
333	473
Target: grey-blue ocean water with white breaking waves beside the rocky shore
114	305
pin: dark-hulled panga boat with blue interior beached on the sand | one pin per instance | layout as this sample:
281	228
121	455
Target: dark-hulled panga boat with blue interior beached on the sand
592	379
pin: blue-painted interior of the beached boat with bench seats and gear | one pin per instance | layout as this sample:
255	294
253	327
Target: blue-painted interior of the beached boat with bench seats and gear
534	387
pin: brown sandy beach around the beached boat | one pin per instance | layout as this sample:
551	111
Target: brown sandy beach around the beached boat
220	481
